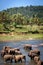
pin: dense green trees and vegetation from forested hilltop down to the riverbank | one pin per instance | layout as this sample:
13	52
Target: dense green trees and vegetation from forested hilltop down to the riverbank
27	19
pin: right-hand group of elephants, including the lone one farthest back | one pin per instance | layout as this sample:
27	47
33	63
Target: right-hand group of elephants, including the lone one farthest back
34	54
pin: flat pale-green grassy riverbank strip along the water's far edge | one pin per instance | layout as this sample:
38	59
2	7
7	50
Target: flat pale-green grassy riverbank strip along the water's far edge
19	37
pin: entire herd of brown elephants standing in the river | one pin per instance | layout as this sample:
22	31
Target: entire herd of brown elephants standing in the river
14	54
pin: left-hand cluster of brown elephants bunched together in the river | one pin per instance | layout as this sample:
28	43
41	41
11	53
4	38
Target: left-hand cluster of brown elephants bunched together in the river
10	54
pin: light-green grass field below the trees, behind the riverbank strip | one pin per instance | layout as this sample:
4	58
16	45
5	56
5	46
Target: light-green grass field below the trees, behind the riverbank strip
28	28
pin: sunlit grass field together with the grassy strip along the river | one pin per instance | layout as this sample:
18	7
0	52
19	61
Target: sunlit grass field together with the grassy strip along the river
24	33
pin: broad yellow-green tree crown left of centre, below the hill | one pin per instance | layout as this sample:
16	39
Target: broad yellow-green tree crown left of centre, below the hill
18	19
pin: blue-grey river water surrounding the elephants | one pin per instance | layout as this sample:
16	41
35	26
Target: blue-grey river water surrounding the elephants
20	44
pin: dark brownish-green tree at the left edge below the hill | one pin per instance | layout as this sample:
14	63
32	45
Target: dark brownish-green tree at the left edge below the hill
4	20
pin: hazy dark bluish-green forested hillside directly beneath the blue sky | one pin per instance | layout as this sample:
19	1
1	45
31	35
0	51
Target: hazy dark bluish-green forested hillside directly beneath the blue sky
27	11
